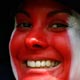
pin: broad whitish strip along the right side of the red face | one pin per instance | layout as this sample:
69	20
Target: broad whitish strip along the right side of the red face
74	34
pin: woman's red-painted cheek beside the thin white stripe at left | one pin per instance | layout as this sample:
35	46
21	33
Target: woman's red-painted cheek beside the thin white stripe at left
16	42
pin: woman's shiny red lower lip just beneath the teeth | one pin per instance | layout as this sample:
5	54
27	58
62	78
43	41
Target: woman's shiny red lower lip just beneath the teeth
42	71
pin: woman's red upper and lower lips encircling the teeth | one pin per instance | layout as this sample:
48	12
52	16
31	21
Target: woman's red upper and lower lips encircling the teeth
42	70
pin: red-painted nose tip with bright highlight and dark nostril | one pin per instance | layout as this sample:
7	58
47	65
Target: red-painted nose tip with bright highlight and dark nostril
35	43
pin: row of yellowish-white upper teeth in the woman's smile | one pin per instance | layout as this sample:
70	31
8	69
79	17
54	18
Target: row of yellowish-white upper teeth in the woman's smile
42	64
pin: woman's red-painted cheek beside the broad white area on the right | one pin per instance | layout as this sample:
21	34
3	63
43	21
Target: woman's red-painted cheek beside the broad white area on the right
61	43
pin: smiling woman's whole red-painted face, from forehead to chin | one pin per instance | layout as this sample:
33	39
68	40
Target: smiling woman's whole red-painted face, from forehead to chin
40	46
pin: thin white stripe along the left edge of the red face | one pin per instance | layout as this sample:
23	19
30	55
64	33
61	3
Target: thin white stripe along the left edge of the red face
12	62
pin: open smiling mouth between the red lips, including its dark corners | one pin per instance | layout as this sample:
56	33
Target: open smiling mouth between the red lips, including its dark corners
41	63
